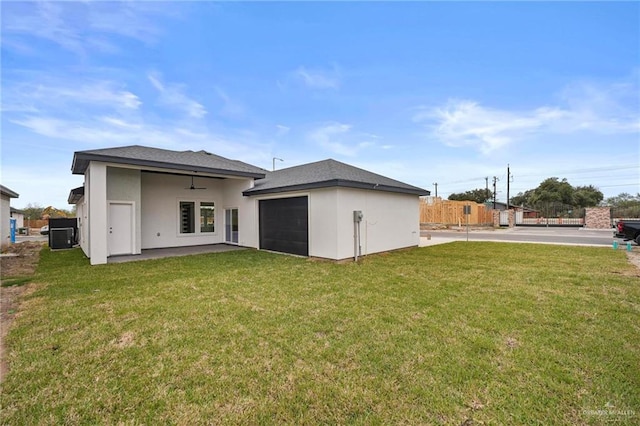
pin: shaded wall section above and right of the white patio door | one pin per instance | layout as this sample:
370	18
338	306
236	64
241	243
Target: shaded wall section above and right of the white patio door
124	185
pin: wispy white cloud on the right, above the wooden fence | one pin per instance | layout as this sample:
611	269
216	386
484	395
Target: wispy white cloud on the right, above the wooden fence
583	107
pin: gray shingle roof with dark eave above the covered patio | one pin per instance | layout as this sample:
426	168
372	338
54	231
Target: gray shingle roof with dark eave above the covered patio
193	161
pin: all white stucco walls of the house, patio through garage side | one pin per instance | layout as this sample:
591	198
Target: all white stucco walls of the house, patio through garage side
391	221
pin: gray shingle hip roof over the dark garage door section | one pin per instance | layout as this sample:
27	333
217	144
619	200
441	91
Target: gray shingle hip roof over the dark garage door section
328	173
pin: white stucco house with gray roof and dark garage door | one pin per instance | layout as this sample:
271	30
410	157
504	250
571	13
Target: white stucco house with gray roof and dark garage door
136	198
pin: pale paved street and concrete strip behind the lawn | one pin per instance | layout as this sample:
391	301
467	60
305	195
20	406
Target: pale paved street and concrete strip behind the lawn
567	236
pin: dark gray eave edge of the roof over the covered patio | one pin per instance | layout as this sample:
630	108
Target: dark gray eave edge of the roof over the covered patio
81	162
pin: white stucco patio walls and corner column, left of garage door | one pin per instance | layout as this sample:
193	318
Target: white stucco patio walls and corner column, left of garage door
156	198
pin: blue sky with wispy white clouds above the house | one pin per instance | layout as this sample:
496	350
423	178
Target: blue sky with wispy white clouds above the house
446	92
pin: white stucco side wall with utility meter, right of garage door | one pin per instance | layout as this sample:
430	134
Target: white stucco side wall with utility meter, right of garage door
391	221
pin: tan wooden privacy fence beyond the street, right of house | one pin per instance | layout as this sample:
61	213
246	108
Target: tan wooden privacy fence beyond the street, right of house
448	212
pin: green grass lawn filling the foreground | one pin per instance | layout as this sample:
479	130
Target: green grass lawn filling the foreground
489	332
